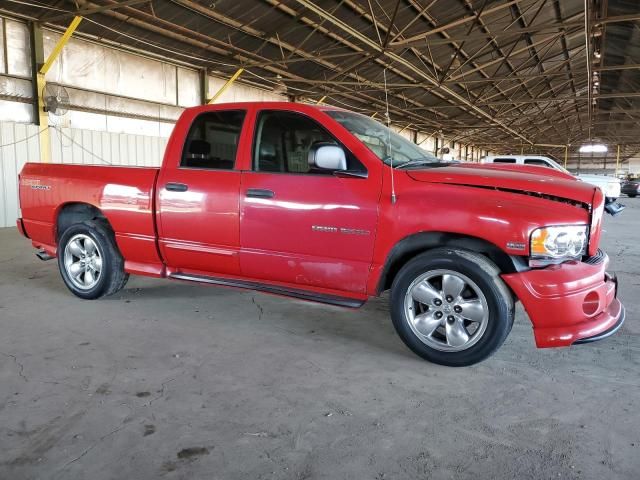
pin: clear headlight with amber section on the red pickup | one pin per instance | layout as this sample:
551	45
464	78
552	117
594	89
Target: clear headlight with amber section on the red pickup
559	243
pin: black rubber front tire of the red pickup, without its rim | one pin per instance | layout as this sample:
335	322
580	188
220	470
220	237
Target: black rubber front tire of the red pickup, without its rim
485	274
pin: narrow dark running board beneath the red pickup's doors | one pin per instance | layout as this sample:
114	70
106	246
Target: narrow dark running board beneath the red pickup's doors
289	292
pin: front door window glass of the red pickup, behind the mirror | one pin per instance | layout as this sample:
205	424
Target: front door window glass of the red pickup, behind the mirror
283	141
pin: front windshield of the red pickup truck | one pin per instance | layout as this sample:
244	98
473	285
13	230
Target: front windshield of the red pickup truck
388	146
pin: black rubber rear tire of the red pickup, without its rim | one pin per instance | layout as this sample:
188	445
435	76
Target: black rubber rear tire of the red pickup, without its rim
112	277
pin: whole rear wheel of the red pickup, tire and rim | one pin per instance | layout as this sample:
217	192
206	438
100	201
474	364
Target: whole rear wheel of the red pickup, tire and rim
89	261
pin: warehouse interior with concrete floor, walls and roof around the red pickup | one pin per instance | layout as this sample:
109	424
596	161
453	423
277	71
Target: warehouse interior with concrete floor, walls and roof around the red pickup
175	380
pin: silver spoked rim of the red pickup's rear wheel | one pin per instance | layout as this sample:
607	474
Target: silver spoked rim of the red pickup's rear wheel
83	261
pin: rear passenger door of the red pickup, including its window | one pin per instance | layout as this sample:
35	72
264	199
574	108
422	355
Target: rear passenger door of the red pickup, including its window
197	196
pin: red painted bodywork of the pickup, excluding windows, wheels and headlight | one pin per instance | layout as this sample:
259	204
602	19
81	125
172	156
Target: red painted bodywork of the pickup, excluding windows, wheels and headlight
324	234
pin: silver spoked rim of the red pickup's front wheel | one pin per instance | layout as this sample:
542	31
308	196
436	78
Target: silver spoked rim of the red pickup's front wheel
446	310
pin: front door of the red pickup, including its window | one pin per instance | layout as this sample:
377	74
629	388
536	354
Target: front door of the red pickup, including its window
302	225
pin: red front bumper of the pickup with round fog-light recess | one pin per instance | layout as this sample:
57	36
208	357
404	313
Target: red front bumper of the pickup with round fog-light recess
574	302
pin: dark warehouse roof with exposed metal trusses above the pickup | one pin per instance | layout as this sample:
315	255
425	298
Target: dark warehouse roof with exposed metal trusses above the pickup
486	72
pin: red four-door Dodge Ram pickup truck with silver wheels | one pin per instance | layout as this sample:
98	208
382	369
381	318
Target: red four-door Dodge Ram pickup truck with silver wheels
331	206
